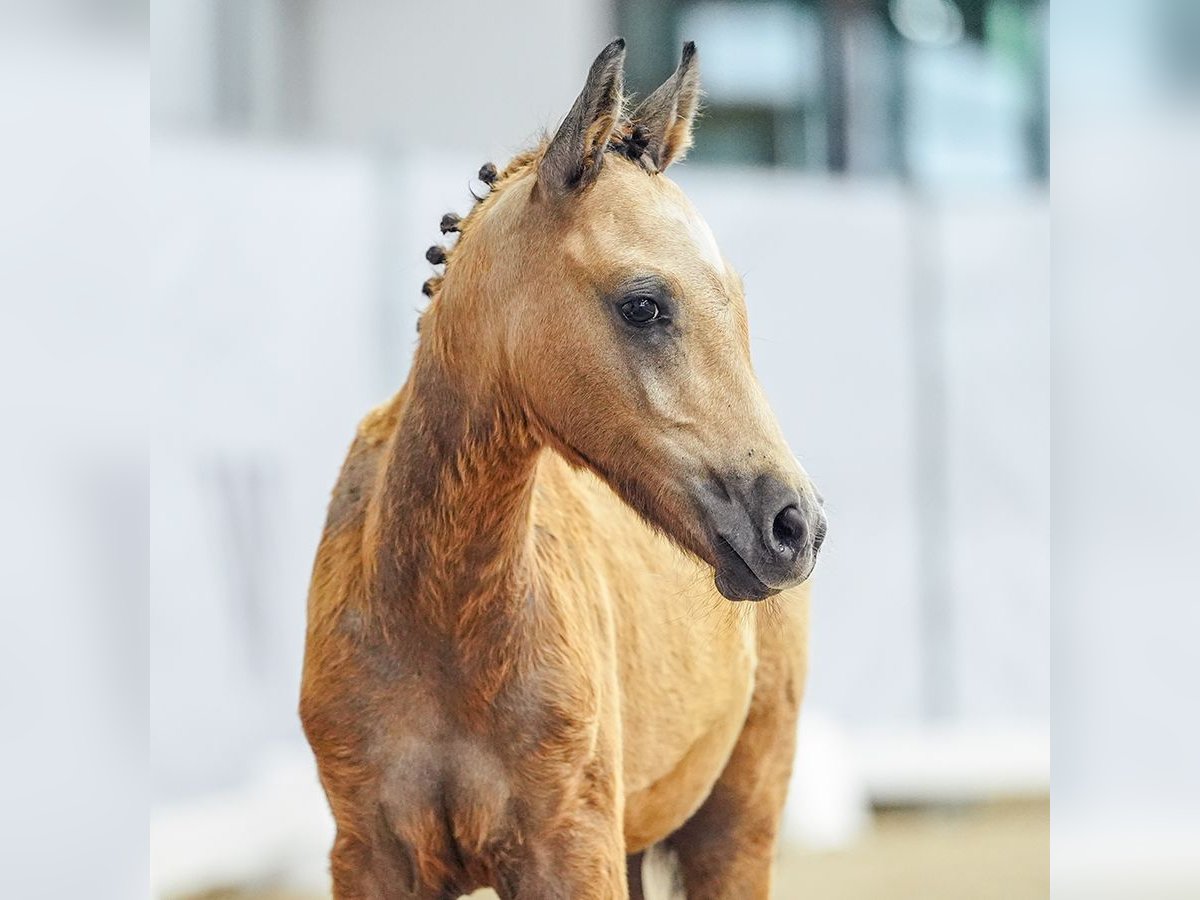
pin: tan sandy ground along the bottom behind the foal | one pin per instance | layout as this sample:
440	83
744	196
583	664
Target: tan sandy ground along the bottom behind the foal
994	853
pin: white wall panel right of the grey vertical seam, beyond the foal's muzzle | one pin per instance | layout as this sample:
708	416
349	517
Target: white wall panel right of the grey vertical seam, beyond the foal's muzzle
995	281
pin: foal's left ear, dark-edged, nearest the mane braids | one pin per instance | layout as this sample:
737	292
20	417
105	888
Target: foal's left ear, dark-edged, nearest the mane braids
574	157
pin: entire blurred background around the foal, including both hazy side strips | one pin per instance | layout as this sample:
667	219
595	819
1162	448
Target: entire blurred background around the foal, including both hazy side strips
878	170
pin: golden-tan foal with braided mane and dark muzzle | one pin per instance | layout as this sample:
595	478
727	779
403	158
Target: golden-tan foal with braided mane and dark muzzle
524	664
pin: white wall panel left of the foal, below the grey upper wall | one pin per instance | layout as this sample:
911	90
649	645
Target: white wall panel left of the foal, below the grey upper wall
265	278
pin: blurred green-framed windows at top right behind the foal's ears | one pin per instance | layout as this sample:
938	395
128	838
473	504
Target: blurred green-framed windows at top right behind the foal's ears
811	85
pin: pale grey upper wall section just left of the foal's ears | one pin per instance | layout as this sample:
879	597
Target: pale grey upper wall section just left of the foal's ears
463	69
